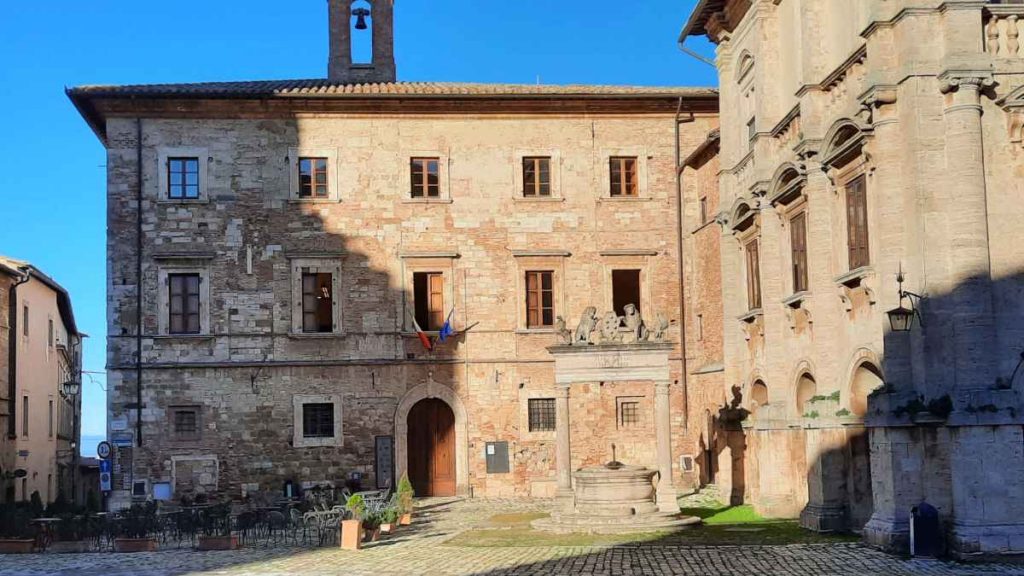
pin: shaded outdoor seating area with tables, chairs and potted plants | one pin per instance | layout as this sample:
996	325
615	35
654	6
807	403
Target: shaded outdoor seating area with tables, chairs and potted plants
314	518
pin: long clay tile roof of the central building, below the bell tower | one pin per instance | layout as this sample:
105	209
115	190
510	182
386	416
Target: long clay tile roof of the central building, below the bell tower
326	89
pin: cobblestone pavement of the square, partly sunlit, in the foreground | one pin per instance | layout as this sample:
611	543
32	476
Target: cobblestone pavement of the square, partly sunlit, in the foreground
421	552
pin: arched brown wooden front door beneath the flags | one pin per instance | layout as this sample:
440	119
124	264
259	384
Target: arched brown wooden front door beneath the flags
432	448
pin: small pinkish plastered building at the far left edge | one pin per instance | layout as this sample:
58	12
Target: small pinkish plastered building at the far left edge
41	382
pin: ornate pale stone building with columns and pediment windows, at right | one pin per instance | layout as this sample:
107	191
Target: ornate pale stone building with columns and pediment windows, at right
870	141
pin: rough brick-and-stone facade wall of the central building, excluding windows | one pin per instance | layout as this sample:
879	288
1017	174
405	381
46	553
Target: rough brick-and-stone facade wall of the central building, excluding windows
379	237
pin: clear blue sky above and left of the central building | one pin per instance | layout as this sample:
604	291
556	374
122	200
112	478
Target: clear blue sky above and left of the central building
53	168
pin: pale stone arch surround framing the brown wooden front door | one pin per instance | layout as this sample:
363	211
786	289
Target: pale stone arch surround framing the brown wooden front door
433	390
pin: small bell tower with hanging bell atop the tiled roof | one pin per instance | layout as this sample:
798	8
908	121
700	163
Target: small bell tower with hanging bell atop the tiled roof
350	18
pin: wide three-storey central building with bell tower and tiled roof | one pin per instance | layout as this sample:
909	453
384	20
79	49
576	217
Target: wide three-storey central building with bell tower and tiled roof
274	245
